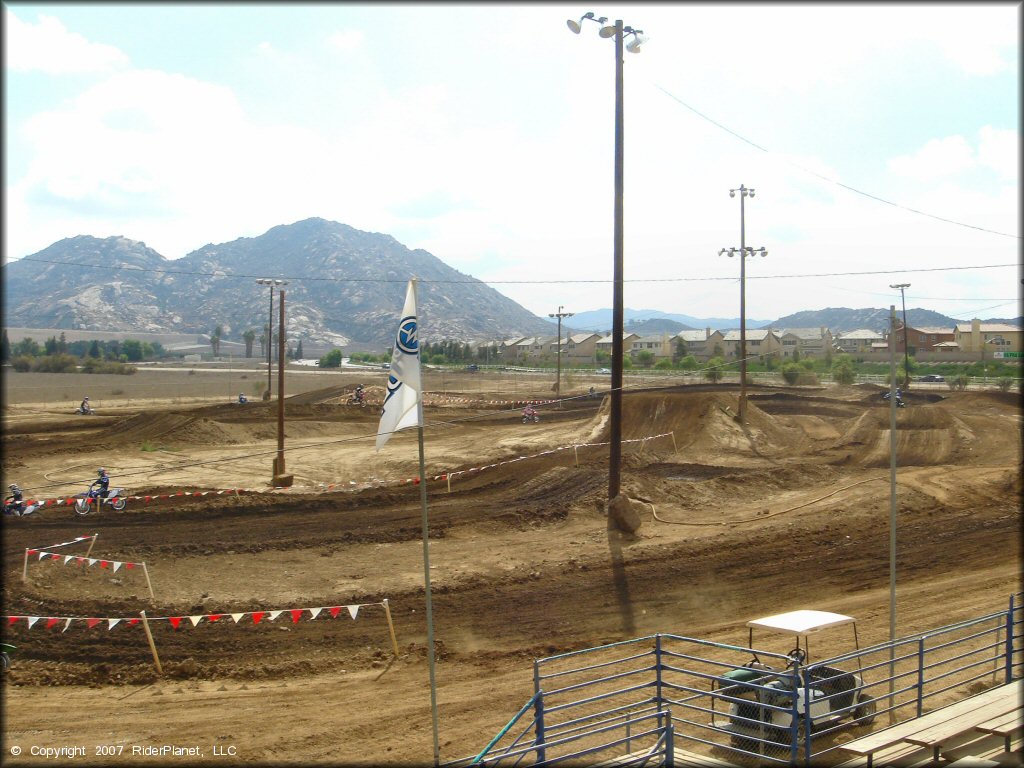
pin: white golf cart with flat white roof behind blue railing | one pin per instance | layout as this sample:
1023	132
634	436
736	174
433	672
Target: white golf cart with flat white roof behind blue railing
761	698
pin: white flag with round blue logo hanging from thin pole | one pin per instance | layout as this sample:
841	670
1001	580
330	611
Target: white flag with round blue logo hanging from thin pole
402	404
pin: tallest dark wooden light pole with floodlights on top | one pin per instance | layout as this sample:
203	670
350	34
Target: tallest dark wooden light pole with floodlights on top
619	32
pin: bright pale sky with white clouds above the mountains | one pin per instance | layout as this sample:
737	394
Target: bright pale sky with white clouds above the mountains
882	143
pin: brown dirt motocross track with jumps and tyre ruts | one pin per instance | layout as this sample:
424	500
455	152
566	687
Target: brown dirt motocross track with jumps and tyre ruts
790	511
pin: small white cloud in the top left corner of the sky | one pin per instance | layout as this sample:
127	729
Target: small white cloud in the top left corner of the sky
49	47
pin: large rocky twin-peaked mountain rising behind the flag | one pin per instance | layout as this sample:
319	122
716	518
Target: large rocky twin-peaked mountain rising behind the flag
346	287
